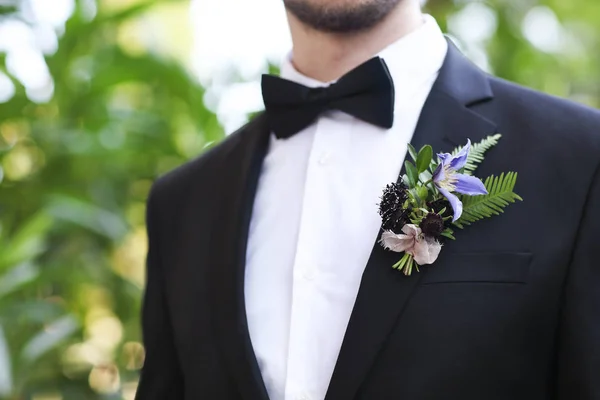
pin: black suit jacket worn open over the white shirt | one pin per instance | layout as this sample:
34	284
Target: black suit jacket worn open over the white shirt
511	309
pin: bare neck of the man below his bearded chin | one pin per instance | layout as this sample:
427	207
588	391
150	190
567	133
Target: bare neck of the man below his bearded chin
327	56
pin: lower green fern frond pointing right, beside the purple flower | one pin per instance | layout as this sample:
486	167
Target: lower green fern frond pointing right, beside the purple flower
500	195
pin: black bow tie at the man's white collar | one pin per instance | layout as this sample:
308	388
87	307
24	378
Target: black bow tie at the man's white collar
366	92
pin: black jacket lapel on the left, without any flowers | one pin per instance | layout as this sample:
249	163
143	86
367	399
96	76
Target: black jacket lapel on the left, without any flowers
240	173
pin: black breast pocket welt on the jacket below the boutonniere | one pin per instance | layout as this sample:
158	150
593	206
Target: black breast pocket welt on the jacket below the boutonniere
479	267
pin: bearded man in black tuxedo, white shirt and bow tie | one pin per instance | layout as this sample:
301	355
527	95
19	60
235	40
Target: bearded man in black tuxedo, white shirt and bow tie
265	278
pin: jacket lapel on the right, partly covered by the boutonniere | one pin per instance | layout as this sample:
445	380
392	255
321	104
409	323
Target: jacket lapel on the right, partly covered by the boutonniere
445	122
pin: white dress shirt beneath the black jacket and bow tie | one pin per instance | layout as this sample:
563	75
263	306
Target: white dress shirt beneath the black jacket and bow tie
315	221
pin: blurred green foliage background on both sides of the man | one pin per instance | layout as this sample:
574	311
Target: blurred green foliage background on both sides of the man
79	152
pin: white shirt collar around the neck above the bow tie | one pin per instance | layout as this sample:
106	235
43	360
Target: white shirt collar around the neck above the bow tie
412	59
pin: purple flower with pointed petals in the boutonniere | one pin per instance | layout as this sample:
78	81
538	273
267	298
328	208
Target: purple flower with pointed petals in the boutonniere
448	180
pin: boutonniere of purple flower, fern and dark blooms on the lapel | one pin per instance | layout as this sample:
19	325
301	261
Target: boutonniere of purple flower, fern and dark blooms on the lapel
437	195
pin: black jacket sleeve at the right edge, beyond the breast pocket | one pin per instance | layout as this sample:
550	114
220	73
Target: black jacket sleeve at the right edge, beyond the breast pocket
579	335
